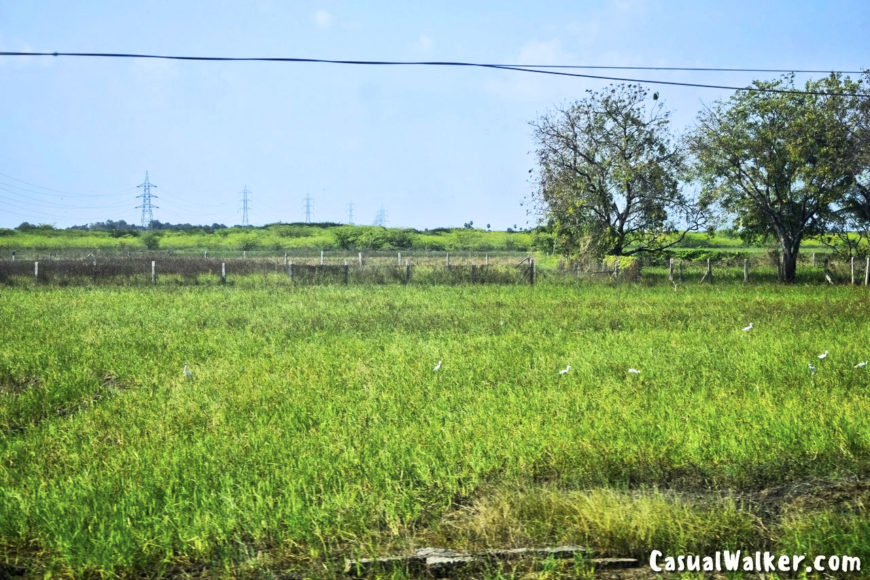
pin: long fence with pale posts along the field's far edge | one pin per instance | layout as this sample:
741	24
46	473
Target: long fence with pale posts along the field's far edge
200	269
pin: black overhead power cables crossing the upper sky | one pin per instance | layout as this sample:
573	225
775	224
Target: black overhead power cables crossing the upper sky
538	69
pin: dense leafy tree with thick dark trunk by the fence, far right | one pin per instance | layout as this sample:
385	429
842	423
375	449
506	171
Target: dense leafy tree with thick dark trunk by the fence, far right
779	159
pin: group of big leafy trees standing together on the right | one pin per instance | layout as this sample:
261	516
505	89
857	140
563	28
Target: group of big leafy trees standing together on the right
773	161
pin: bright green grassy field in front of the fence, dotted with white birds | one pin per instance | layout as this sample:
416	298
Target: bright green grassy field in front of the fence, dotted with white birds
314	427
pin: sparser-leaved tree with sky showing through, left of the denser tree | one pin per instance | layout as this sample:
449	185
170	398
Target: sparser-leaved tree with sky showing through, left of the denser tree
609	174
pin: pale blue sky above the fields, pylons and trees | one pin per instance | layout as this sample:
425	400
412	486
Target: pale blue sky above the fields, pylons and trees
432	146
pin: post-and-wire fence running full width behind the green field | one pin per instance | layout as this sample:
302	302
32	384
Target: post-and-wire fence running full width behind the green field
417	269
